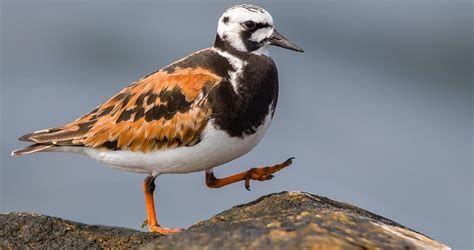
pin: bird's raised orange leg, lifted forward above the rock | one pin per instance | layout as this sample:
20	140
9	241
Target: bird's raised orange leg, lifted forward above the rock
258	174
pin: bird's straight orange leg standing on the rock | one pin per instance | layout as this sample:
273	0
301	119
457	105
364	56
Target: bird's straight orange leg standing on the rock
149	188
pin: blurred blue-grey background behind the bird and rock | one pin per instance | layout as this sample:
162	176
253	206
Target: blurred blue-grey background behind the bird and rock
377	111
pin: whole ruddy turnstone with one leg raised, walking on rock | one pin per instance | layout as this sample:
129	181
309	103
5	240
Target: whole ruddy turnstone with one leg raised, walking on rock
199	112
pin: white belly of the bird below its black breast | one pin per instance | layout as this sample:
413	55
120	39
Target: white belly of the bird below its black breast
216	148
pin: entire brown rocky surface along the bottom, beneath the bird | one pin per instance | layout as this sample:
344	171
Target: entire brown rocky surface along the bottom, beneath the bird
287	220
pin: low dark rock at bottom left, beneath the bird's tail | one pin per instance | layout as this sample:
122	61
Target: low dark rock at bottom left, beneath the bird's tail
18	230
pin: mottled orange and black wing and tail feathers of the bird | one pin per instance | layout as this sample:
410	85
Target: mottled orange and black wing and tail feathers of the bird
163	110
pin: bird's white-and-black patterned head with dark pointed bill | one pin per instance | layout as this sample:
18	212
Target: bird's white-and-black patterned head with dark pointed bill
249	28
